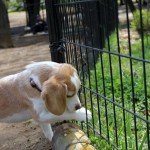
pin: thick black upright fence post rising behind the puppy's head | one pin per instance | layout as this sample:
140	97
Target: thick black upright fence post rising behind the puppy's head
55	35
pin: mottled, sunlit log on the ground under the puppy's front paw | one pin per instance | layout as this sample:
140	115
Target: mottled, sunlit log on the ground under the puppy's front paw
70	137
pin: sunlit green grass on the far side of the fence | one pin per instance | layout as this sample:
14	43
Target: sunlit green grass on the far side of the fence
111	123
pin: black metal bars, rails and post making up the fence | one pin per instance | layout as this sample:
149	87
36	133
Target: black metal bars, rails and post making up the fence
59	53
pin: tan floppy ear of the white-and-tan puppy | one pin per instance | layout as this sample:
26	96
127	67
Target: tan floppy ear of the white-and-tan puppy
54	96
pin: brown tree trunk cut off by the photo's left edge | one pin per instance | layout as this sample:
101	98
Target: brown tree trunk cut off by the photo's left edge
5	34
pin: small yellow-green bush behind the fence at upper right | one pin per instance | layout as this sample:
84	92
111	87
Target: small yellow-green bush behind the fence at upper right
137	16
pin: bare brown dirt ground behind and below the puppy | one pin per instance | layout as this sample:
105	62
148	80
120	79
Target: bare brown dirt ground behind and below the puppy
26	135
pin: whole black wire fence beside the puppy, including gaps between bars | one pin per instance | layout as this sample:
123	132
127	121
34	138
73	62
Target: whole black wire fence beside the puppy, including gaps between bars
110	47
